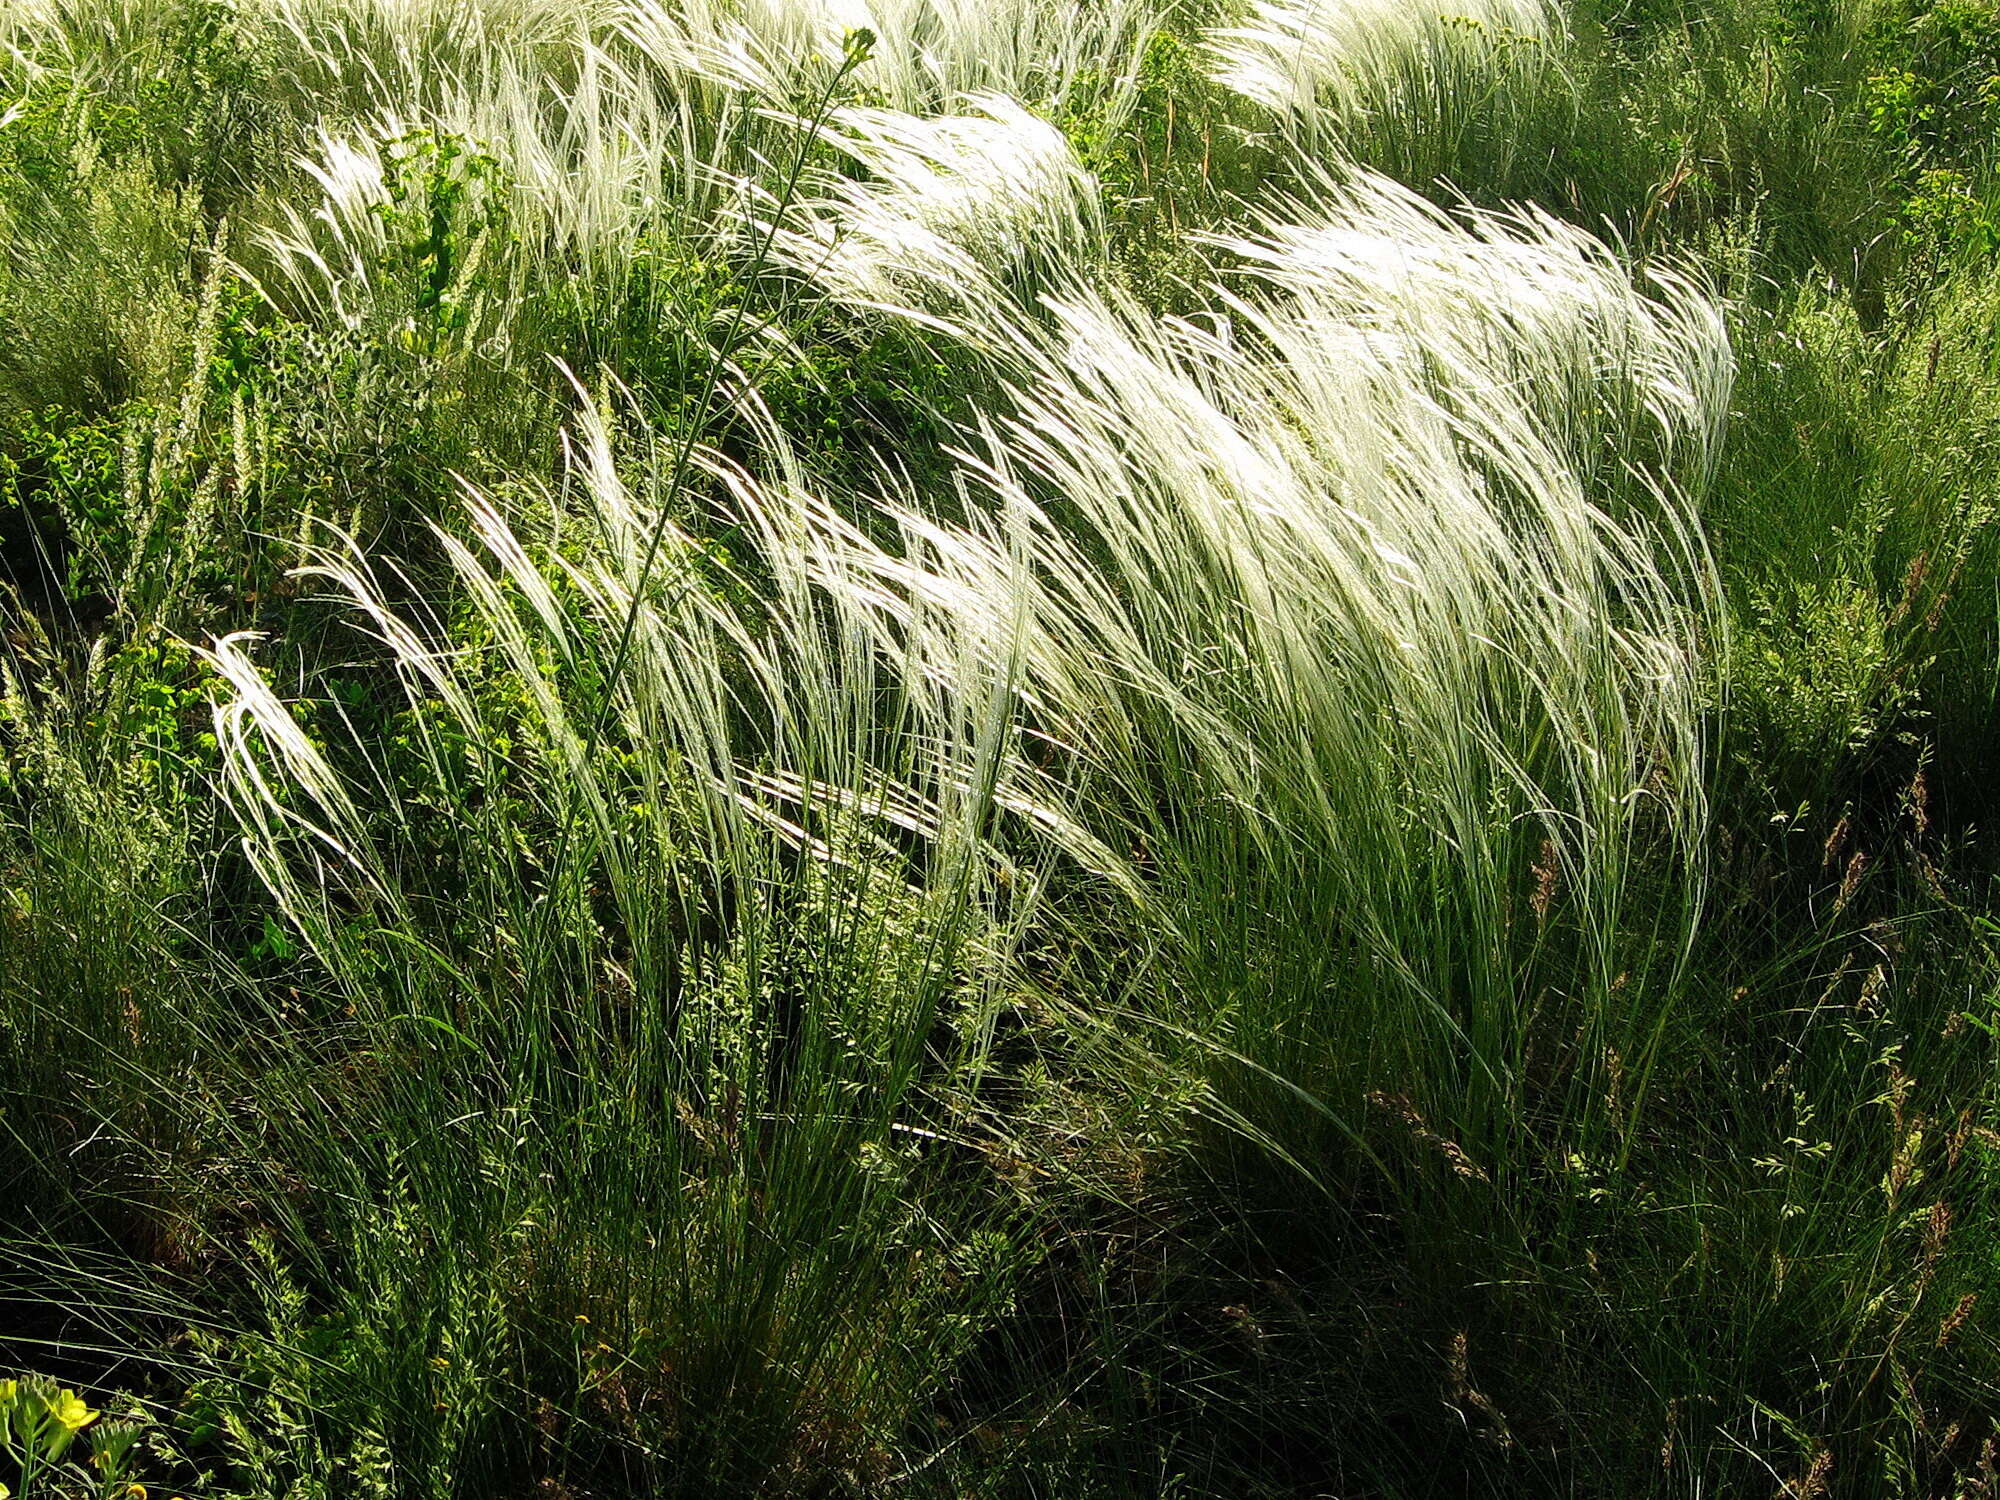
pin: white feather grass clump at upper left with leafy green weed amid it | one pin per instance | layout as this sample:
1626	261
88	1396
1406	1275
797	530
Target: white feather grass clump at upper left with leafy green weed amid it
545	207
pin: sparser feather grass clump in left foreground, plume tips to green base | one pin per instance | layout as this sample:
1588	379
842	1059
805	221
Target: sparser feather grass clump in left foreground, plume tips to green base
771	913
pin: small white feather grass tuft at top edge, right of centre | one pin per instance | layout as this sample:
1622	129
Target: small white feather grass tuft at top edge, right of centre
1413	87
